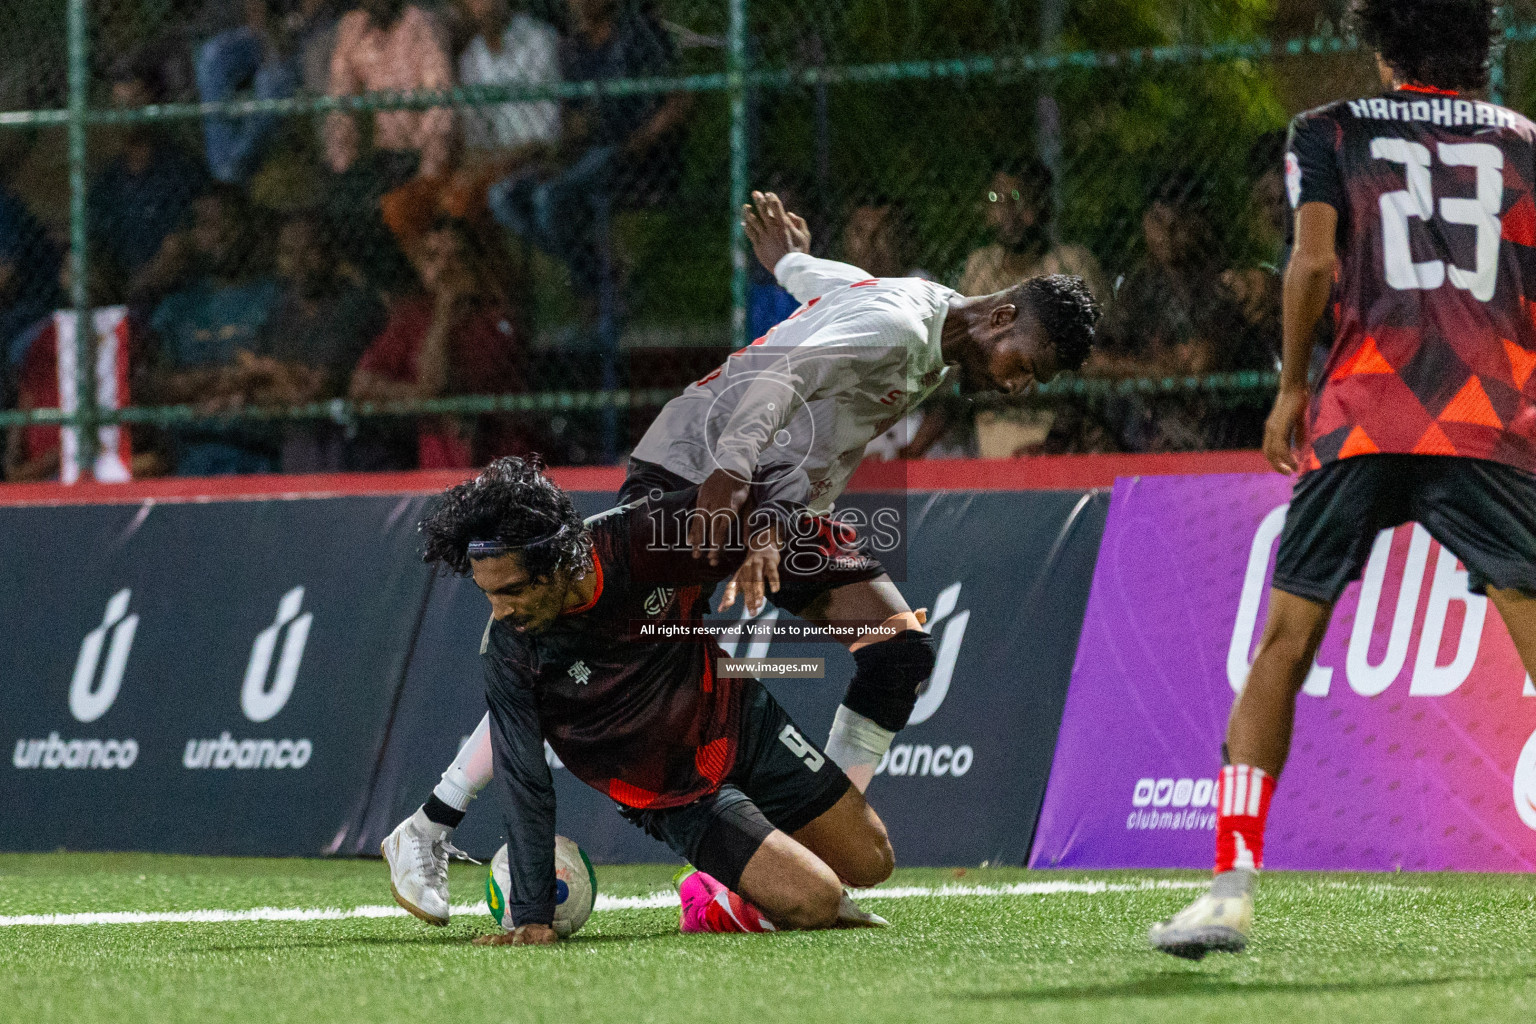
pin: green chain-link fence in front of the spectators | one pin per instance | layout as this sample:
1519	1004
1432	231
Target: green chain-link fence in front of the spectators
326	237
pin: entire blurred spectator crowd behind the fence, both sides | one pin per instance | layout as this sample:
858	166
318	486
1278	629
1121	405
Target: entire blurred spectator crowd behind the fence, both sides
385	256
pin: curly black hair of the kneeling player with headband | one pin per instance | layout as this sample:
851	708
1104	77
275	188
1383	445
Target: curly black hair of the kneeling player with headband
514	503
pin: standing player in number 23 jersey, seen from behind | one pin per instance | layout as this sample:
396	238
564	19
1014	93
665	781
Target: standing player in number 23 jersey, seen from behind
1415	226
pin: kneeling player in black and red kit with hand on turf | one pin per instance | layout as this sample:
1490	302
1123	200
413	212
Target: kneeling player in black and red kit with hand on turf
710	765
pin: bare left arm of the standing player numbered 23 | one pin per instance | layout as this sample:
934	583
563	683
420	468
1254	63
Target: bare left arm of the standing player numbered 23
1309	277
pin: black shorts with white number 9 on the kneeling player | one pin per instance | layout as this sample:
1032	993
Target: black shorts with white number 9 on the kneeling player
783	781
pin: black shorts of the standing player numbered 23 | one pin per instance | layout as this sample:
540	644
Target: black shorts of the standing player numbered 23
1485	512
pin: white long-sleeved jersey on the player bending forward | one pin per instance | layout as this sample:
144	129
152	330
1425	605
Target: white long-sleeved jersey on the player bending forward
812	394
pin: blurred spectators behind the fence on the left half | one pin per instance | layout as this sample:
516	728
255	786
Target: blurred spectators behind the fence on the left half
377	256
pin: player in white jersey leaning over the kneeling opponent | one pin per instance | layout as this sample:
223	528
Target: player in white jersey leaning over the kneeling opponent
798	408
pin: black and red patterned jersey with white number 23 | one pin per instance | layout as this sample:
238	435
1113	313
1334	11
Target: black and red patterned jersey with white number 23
1434	335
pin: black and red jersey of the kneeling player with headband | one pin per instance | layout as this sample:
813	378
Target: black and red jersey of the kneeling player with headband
632	712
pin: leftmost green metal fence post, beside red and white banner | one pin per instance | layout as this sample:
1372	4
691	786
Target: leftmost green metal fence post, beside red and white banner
85	418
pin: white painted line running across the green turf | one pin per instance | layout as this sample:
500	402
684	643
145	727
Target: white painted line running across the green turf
654	900
